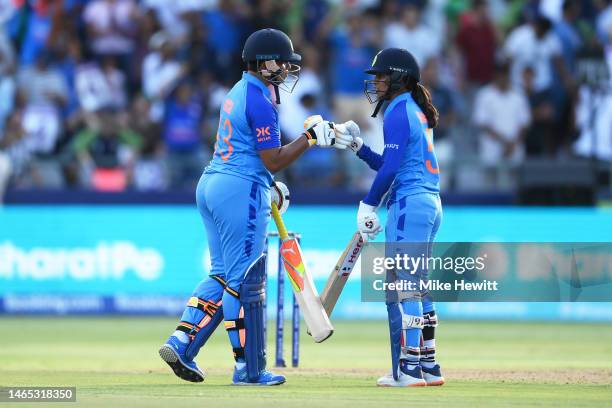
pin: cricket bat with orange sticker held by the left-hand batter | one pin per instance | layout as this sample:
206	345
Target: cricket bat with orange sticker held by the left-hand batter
306	293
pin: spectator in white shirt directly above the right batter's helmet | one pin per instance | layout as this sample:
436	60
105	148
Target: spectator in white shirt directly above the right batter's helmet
411	33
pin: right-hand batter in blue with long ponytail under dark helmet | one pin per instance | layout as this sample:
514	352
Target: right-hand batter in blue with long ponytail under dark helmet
408	170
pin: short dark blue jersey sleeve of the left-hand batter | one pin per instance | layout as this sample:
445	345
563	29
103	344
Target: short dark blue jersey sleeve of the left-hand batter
263	119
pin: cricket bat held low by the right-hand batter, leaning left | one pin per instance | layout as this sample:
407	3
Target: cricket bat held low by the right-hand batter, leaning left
340	273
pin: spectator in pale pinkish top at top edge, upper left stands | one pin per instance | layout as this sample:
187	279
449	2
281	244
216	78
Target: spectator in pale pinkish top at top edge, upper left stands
112	26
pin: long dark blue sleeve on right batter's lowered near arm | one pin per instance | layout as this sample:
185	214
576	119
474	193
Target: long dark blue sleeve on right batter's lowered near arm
396	131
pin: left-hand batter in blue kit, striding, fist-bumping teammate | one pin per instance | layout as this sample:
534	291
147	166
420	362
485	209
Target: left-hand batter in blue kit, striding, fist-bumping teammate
233	198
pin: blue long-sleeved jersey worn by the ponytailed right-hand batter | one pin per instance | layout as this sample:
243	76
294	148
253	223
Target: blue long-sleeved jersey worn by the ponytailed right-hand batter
408	164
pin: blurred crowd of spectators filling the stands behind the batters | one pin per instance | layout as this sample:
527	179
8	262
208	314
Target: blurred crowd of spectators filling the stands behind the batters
113	95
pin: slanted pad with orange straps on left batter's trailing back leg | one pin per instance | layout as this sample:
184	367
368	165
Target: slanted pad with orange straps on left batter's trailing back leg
213	315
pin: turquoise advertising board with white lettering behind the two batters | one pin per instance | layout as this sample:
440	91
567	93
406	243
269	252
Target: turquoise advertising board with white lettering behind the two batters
147	260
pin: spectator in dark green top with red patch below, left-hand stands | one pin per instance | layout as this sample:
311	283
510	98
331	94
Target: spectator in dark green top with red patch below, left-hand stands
106	151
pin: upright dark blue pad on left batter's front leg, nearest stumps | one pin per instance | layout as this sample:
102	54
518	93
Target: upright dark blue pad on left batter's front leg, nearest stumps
250	324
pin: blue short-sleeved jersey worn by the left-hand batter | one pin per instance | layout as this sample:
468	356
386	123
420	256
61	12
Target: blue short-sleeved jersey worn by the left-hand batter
248	123
